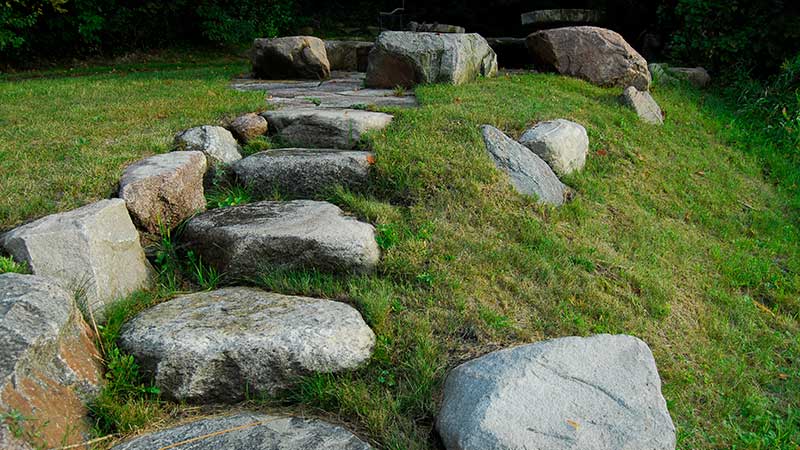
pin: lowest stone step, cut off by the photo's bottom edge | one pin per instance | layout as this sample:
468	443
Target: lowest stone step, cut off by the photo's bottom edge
250	431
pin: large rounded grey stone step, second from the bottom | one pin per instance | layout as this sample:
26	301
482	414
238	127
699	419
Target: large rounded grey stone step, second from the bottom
217	346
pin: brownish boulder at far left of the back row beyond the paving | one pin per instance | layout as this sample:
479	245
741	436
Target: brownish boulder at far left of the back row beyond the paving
290	57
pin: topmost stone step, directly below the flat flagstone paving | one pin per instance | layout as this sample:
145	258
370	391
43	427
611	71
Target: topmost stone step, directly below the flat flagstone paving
324	128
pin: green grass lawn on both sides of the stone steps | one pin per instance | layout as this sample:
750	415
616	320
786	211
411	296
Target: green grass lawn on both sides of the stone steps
675	236
